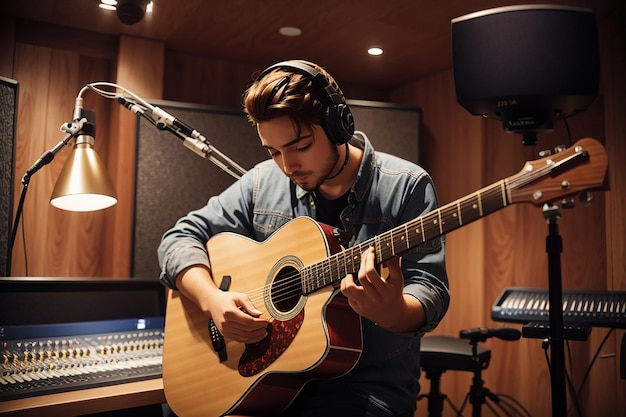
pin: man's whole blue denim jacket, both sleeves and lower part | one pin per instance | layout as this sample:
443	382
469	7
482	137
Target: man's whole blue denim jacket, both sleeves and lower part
388	192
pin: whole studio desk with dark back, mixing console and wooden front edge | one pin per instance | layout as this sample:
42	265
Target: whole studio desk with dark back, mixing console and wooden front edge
72	347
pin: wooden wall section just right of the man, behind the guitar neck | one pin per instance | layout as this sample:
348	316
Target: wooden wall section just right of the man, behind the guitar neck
452	152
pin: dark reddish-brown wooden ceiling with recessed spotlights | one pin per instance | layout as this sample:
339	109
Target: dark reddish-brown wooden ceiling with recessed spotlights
415	34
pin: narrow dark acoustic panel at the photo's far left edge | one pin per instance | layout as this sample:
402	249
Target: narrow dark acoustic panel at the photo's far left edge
8	118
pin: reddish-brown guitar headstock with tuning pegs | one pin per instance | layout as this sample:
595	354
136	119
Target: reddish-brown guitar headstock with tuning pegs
579	168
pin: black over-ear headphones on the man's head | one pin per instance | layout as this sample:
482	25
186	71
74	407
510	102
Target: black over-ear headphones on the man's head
337	119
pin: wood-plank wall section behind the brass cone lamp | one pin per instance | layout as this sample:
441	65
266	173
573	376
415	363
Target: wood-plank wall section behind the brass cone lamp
58	243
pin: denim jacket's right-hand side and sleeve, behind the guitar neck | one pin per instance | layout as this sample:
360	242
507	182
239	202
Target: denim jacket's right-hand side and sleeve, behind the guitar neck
391	192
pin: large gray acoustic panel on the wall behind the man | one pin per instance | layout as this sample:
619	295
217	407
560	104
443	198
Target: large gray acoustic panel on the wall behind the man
171	180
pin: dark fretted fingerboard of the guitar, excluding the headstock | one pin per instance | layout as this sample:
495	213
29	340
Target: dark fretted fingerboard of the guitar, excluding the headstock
407	236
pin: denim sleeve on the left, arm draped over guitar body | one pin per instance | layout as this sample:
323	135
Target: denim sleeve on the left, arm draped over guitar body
255	206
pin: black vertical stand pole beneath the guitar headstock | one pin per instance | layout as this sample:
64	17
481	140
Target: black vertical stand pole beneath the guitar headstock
554	247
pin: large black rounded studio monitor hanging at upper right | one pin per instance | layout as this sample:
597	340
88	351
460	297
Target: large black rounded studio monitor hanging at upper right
526	65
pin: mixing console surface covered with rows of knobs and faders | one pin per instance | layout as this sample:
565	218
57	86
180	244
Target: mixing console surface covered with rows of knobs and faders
39	360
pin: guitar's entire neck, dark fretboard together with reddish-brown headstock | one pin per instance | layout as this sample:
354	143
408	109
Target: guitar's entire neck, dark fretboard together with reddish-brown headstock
578	168
